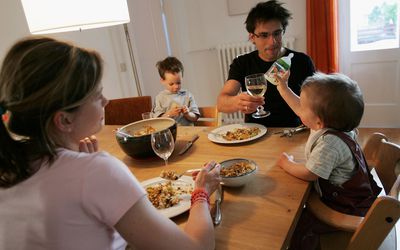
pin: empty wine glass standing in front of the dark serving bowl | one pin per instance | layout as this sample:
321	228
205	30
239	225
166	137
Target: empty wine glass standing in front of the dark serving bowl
163	144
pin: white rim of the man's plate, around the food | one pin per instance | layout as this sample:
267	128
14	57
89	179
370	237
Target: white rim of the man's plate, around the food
222	131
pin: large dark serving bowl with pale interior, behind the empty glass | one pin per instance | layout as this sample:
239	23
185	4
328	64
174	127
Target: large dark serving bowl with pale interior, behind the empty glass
139	146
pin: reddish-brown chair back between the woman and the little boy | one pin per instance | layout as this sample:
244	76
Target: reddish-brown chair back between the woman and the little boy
126	110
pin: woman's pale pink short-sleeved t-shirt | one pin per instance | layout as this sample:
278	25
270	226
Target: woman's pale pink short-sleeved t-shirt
73	204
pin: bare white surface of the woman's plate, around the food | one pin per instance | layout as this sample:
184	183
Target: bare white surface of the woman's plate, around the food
185	182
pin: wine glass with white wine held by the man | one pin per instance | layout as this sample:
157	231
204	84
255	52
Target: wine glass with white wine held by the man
256	85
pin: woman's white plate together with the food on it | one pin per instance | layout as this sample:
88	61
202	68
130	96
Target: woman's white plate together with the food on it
171	198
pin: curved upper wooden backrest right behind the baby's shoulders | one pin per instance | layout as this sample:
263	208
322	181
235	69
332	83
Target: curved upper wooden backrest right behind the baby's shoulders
384	156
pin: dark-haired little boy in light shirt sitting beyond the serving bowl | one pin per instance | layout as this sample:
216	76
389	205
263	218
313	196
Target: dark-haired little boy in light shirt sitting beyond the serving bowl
174	102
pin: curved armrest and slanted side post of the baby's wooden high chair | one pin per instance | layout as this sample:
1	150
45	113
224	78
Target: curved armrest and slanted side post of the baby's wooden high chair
374	231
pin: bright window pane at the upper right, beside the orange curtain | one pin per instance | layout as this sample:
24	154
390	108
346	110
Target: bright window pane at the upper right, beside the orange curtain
374	24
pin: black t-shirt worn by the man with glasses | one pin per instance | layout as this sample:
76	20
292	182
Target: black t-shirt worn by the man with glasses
281	114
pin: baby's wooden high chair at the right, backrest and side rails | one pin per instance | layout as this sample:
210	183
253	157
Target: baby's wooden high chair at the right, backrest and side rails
370	231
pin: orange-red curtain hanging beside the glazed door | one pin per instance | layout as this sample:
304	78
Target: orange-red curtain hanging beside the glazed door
322	38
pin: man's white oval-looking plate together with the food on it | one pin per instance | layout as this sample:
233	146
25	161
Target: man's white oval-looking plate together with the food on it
237	133
